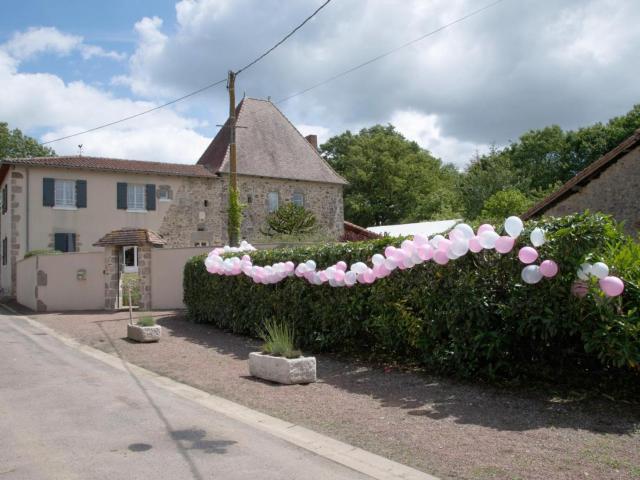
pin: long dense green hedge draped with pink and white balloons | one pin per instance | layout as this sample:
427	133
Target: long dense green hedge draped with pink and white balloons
471	317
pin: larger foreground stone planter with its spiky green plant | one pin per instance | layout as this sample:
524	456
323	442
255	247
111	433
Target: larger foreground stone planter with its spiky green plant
279	361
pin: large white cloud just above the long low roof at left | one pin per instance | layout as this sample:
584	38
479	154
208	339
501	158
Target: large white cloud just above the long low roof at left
61	109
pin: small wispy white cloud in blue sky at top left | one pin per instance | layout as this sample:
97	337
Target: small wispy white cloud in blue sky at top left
35	40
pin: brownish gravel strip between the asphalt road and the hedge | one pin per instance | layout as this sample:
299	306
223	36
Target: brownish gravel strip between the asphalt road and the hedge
445	428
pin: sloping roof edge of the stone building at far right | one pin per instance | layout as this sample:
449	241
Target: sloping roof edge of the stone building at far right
585	176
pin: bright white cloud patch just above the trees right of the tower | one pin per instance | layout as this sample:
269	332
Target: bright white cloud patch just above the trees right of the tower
426	131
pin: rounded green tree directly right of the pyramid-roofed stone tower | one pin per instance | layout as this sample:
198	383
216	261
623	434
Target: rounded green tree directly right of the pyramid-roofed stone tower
391	179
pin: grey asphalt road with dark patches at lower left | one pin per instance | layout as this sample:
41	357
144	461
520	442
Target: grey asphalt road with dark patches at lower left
65	415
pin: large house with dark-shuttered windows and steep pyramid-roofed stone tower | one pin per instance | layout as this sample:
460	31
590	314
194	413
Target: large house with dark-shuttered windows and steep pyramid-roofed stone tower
69	203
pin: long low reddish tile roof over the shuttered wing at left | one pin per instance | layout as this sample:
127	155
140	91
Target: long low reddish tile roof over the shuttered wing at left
114	165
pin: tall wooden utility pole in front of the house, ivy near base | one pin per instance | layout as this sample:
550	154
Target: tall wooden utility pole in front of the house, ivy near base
234	207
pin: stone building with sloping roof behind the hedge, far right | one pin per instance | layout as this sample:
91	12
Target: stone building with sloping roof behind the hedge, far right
609	185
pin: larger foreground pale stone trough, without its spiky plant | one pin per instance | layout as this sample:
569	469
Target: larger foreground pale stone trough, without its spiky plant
282	370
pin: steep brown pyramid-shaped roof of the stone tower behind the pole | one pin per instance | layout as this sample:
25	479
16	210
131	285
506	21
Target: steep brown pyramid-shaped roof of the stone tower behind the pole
268	146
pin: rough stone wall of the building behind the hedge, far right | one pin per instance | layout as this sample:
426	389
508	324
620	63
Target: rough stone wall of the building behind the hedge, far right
614	192
